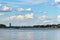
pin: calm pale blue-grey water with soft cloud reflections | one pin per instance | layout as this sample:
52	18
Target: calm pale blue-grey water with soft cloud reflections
17	34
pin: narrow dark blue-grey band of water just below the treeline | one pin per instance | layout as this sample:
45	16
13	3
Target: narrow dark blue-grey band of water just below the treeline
33	28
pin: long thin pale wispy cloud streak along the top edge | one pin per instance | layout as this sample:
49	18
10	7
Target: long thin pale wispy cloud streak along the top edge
31	2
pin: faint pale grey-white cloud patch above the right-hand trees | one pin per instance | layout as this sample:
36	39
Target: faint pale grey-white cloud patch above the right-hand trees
45	19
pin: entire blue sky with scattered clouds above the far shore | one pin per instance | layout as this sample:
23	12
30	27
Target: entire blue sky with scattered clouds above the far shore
29	12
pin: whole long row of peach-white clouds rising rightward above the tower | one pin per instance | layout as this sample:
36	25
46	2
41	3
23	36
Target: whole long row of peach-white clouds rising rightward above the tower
19	17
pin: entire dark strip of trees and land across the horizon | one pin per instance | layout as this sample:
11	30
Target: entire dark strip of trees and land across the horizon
34	26
